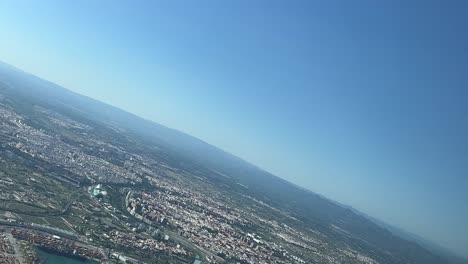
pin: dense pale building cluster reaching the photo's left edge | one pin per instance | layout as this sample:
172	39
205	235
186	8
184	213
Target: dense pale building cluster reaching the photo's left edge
68	153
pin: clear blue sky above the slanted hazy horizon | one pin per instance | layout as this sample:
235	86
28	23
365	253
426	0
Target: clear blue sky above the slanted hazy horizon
364	102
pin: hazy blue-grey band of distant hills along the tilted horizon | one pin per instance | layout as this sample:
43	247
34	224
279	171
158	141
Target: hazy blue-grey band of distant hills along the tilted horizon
337	222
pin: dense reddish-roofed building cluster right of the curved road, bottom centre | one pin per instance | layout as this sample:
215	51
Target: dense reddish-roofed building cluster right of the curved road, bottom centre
204	221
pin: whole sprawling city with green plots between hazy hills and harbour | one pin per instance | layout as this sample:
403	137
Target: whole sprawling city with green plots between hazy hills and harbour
115	199
